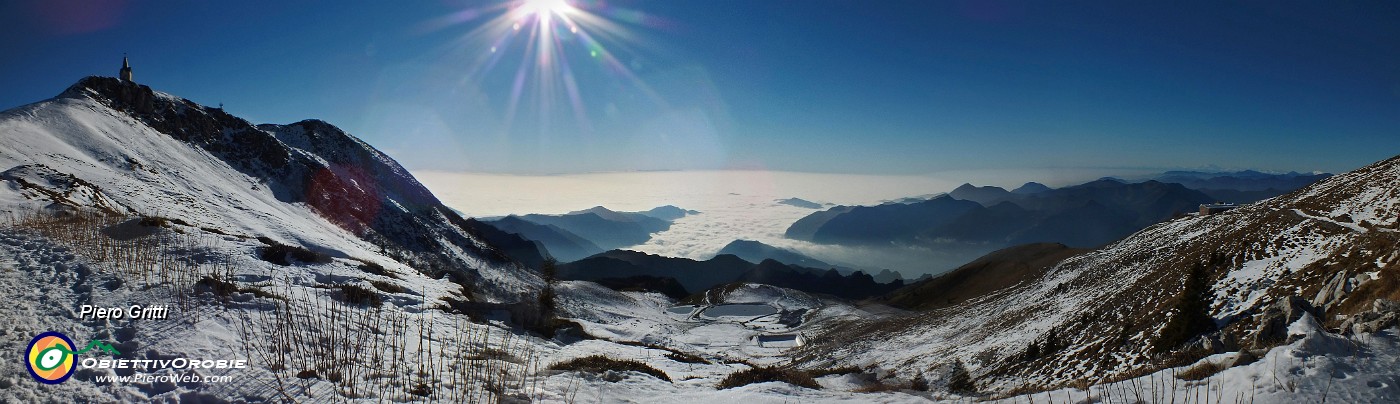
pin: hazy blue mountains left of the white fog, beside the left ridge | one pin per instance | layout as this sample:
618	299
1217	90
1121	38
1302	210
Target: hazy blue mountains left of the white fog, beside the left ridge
582	234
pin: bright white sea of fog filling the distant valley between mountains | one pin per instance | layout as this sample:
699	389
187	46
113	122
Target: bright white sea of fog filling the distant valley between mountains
733	205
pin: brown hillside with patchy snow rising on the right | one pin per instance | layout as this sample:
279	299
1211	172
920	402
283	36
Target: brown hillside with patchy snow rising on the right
1102	315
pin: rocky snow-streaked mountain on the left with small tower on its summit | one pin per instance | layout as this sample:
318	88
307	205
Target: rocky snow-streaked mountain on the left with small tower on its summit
125	149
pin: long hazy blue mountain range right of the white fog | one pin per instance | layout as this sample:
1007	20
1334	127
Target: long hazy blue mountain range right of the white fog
1083	216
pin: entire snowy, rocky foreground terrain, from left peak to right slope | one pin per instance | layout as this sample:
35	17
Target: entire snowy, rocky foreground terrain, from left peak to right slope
338	277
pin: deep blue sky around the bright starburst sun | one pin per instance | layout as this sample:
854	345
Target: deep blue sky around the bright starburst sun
852	87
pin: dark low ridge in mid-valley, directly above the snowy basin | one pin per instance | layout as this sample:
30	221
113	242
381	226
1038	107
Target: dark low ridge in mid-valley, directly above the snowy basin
615	268
